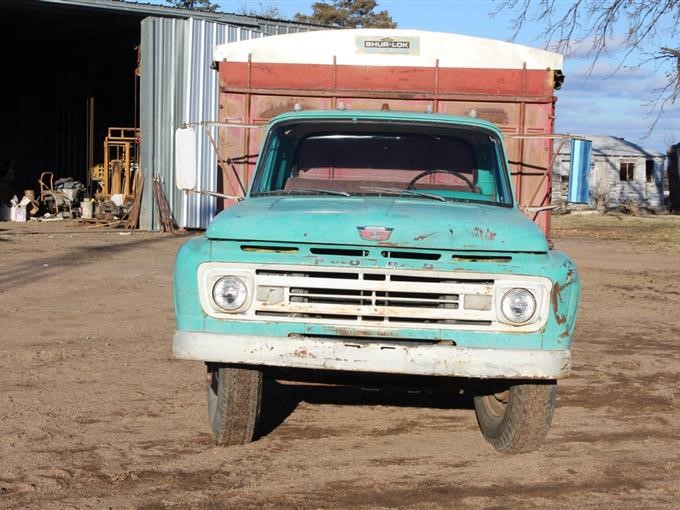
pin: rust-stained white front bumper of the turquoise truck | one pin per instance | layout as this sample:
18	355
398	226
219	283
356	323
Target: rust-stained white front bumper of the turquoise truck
372	356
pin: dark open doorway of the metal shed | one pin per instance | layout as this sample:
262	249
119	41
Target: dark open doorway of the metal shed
69	75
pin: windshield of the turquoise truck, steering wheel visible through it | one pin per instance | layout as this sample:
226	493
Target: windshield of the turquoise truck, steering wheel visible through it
423	161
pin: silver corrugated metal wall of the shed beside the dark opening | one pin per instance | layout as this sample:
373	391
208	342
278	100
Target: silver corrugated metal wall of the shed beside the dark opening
178	86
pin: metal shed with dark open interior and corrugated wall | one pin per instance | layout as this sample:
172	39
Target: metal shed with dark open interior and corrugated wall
78	67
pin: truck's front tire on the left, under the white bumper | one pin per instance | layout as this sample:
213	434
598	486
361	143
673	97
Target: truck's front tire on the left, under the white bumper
234	400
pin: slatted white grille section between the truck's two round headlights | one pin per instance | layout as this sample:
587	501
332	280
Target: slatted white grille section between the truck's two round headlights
369	296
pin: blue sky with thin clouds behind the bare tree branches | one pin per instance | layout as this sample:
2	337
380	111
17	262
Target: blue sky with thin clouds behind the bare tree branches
592	99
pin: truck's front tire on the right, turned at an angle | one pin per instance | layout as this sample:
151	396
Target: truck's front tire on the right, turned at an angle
517	418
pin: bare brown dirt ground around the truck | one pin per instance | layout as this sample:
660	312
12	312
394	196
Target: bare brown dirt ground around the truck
95	412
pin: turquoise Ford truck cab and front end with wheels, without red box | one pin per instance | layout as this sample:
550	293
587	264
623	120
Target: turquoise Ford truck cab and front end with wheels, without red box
380	242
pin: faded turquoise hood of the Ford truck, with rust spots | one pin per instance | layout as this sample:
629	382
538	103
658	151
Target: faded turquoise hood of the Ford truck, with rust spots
415	223
